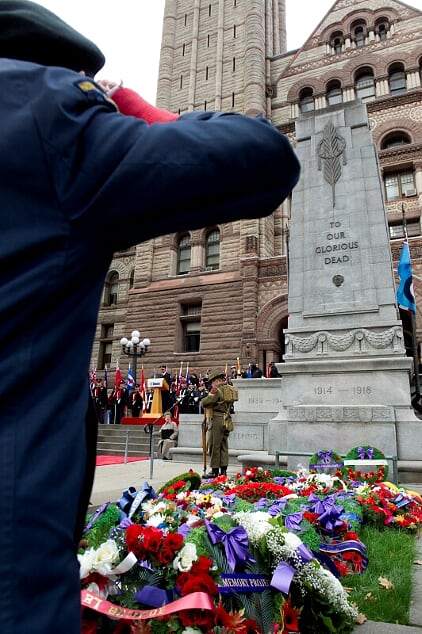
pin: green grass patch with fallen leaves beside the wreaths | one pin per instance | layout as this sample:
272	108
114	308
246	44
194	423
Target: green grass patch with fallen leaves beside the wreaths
391	554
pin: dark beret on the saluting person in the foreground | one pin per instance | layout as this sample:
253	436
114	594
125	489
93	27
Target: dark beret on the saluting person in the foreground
32	33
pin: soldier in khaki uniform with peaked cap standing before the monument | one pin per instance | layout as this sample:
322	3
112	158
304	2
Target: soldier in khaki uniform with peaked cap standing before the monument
215	408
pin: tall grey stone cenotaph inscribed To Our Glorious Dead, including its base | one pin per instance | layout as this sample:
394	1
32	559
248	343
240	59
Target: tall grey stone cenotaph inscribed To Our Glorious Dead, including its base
346	378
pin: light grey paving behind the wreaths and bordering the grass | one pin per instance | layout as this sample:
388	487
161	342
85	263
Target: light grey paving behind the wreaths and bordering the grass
111	480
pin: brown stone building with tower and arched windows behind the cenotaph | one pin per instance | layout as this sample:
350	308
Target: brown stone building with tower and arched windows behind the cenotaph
208	296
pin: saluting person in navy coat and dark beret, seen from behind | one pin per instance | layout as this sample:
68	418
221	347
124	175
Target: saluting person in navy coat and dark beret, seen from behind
76	172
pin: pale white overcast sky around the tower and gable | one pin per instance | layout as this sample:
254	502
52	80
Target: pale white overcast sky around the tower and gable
129	33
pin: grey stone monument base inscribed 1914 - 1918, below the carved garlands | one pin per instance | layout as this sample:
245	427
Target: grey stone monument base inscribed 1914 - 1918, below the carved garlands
339	405
